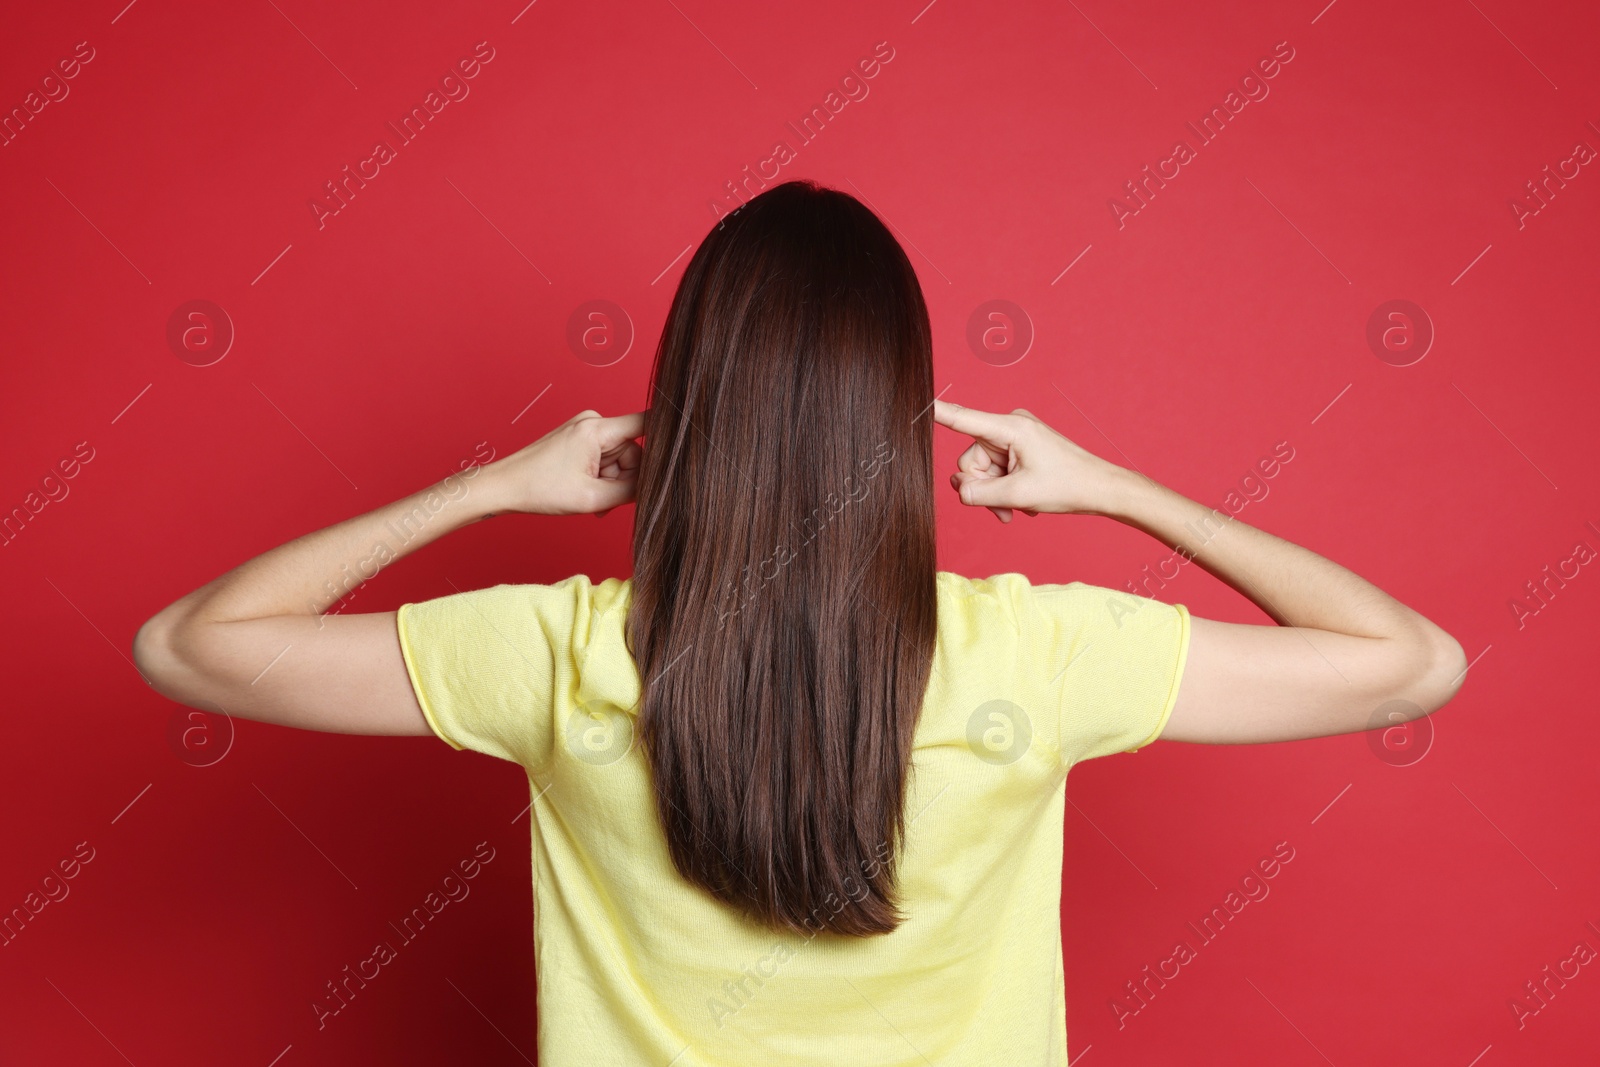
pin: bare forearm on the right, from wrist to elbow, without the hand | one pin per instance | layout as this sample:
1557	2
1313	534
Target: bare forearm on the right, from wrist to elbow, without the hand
1290	583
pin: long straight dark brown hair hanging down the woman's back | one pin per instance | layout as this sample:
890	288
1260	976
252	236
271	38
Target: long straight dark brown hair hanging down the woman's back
785	578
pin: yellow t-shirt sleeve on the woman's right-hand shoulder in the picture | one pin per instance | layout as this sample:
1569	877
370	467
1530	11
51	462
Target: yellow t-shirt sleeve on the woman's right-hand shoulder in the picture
1114	663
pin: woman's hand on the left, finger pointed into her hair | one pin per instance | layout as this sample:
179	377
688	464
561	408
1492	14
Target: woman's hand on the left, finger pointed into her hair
586	466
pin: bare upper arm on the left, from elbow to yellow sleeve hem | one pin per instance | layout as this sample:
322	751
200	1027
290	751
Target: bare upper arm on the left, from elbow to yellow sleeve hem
335	673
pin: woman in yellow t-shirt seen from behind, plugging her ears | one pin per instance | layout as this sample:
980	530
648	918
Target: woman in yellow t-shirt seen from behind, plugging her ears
798	796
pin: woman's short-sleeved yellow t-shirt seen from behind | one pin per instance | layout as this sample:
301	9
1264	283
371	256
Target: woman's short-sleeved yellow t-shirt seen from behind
639	967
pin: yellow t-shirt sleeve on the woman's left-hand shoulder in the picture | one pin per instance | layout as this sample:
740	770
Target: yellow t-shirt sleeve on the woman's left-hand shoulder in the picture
489	665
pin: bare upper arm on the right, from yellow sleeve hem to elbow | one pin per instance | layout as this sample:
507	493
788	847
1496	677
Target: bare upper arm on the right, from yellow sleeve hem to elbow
1258	684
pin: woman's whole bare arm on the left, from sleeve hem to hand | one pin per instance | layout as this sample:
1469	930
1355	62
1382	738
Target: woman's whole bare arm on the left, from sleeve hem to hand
215	647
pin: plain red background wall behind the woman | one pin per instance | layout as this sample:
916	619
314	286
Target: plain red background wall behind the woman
374	354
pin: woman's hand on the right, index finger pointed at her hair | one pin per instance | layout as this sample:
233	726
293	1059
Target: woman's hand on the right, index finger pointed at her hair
1018	463
